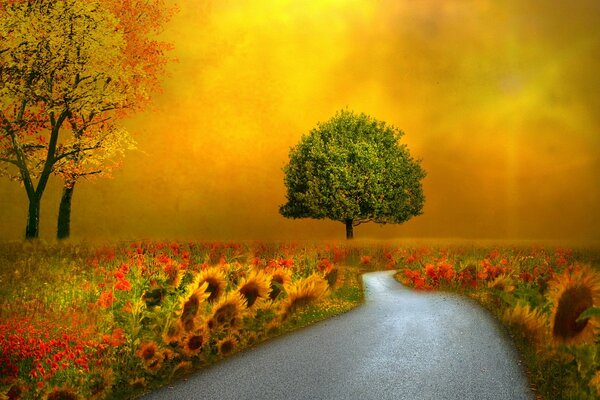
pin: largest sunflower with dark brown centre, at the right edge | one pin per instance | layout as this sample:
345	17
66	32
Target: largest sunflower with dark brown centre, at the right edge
571	294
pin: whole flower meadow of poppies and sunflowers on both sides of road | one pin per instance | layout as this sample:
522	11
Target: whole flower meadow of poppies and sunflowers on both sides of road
113	321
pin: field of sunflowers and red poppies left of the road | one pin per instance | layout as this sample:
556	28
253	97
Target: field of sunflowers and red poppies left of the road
82	322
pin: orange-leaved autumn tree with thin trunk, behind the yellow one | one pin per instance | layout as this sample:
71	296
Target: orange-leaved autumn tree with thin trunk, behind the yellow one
96	152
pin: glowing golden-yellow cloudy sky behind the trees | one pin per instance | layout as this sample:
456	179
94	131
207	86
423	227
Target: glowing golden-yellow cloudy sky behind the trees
500	99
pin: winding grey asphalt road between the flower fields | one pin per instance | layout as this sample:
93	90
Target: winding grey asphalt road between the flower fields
400	344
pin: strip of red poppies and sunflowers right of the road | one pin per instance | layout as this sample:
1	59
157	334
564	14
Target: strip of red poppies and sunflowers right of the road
546	299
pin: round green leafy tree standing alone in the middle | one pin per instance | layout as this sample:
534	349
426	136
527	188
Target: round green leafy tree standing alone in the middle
353	169
